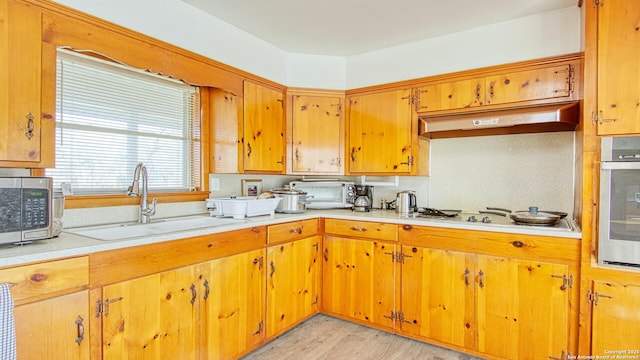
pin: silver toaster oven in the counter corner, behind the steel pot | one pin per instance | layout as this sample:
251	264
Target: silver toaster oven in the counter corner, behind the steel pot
327	194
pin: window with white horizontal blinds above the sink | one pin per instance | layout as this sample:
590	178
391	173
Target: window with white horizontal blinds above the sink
109	117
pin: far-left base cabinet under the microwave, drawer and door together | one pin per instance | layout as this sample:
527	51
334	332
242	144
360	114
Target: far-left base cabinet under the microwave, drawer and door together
51	298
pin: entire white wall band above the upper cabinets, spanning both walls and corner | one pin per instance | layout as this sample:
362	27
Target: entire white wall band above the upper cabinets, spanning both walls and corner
552	33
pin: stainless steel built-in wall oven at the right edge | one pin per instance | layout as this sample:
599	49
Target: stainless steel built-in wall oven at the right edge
619	218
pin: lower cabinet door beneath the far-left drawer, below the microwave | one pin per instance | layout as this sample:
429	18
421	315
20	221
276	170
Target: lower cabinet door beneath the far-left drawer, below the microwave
54	328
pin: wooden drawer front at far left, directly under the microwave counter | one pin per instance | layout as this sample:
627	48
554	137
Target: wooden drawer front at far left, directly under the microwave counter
38	280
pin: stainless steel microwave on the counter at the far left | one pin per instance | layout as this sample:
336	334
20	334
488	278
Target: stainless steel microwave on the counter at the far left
25	209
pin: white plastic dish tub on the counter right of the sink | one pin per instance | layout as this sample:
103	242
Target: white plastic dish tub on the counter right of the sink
241	207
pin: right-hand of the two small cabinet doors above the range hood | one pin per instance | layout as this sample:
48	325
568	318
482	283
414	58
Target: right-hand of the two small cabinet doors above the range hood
540	84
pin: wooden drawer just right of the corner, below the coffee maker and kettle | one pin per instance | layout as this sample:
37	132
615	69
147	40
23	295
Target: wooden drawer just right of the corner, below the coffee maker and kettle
364	229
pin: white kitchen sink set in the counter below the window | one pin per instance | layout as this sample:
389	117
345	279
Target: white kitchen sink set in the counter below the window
131	230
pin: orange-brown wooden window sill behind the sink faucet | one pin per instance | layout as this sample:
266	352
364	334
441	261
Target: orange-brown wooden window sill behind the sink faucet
91	201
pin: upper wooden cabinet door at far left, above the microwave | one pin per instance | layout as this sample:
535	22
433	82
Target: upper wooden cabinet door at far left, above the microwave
20	82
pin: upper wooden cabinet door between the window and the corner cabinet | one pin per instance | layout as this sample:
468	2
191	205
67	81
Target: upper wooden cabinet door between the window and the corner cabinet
264	128
